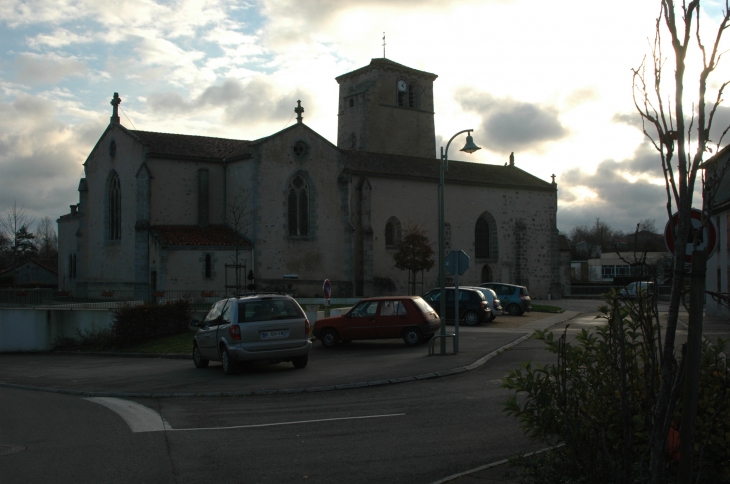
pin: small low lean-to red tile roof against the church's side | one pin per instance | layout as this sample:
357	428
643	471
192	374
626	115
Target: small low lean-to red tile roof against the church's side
187	235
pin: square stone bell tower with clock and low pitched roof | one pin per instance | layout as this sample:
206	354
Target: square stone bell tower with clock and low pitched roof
386	107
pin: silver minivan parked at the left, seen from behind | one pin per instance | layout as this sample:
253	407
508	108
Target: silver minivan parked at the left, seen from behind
269	327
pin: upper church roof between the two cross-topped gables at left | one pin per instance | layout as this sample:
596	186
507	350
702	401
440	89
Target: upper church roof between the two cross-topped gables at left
182	146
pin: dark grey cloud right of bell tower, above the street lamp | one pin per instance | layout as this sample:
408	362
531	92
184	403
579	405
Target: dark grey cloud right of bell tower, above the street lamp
511	125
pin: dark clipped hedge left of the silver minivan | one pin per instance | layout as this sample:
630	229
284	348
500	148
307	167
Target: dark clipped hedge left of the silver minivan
134	324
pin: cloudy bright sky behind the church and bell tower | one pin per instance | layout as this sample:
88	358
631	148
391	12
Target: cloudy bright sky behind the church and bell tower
547	80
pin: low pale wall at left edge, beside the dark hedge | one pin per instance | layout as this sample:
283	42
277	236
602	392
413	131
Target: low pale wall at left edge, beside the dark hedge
28	329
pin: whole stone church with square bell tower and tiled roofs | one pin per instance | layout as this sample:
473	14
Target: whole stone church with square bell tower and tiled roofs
162	212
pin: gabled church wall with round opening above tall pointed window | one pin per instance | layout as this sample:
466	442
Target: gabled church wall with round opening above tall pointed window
325	251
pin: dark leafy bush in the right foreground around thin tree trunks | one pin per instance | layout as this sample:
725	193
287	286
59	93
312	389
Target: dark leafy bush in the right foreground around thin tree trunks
598	400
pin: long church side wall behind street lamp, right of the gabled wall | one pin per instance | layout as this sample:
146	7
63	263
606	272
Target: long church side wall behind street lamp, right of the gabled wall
524	220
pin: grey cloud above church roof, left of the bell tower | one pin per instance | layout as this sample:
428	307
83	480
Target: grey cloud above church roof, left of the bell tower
255	101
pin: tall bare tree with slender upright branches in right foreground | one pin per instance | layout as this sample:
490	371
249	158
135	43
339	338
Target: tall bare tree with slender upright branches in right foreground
681	138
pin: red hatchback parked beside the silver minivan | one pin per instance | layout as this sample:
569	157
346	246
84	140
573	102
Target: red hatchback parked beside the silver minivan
407	317
